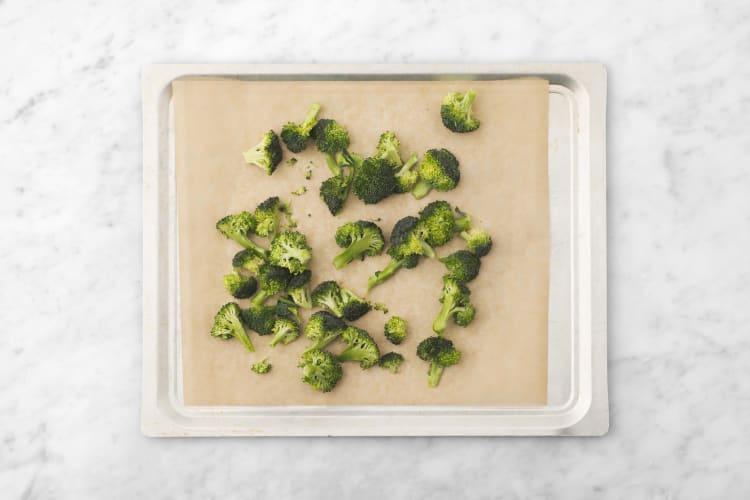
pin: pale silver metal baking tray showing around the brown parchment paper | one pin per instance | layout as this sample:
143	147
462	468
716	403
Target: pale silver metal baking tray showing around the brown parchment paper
577	401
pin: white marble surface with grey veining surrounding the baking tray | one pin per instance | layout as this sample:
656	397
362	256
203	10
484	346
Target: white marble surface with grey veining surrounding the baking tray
70	257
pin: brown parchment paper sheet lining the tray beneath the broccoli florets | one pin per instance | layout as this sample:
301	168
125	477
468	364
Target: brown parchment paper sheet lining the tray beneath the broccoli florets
503	186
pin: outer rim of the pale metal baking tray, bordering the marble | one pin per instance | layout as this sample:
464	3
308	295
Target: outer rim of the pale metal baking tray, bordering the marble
588	416
